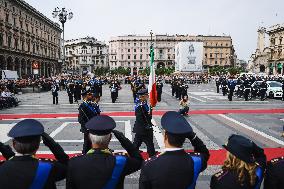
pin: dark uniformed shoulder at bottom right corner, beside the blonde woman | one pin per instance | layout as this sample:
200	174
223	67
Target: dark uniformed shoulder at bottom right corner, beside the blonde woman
274	174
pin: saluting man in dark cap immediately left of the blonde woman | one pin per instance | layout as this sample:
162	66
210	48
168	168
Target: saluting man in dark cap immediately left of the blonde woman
175	168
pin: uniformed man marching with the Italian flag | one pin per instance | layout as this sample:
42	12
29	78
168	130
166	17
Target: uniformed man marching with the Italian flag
143	126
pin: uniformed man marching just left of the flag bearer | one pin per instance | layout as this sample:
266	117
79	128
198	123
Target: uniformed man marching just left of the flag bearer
86	112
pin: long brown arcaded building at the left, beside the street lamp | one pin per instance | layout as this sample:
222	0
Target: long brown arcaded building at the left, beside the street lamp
29	41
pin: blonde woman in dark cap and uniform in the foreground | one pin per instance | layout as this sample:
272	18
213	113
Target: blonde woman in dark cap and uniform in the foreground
243	167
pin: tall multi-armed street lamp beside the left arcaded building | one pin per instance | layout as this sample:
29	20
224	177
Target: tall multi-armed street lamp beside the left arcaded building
63	15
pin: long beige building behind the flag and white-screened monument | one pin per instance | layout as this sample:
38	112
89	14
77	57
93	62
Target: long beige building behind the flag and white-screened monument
132	51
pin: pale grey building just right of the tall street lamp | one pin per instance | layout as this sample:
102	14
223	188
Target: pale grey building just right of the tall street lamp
85	54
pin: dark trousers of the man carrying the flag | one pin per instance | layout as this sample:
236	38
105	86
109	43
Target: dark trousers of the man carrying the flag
148	140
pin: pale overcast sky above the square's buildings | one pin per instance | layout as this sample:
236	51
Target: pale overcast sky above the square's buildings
103	19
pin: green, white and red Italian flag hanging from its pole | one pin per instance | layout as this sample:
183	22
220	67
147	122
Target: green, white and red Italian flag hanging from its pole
152	80
